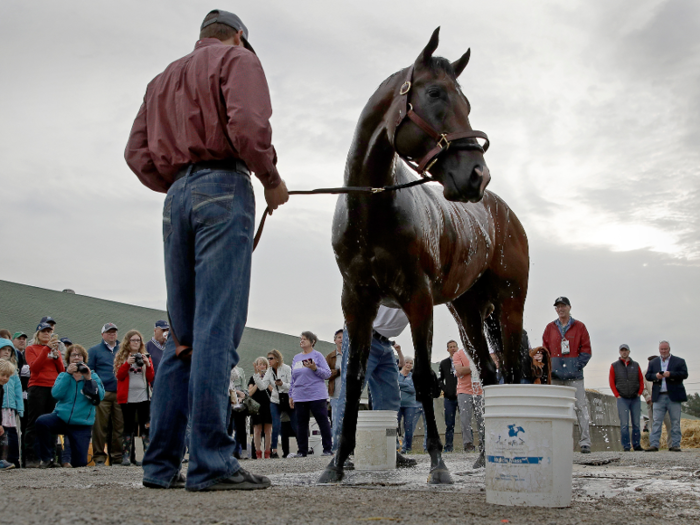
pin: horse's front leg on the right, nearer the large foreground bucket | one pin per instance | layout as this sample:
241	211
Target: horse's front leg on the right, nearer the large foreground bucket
420	314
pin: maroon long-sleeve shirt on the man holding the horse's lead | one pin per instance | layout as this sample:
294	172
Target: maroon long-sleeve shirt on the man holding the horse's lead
213	104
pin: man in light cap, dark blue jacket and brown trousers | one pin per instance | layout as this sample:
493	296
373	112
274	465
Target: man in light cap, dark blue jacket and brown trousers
101	360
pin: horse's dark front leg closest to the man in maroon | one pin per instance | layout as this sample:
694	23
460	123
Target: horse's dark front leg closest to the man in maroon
359	317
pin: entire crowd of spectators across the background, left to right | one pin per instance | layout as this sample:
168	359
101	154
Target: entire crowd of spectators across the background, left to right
59	400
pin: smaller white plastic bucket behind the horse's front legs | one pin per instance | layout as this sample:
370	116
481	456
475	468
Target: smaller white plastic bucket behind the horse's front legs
375	444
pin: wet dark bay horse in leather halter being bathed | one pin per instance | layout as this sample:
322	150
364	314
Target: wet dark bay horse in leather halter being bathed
416	248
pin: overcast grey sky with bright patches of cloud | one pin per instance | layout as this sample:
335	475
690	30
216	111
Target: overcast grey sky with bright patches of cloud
592	109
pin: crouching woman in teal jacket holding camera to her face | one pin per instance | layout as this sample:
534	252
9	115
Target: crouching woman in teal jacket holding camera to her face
77	391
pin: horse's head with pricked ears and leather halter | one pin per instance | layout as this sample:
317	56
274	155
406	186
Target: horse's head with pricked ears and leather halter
429	126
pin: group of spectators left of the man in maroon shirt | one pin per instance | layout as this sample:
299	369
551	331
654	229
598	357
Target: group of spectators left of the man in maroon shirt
59	400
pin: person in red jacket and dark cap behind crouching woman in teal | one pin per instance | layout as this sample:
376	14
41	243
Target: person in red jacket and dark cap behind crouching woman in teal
46	363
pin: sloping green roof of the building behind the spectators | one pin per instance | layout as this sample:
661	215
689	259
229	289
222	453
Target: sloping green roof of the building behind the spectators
80	318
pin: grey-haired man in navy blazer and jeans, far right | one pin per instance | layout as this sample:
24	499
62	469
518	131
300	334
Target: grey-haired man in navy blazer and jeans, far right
667	372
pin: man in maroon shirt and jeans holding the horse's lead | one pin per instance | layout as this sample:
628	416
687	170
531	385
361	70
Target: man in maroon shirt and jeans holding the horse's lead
202	128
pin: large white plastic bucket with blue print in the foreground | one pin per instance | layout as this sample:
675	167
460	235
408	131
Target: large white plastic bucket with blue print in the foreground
529	444
